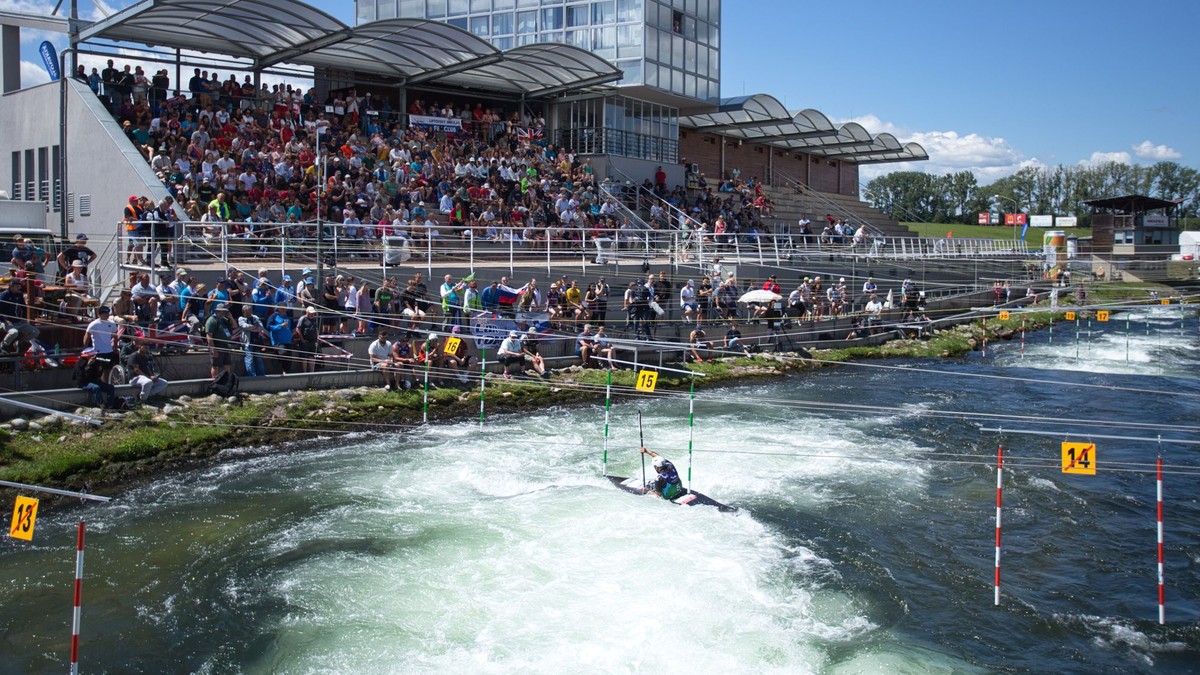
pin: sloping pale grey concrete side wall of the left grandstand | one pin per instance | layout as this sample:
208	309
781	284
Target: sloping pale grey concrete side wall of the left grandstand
104	168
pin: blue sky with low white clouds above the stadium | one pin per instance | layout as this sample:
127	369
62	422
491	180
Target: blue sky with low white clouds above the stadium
988	87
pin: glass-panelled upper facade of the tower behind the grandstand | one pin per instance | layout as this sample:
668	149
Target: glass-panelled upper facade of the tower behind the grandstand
671	46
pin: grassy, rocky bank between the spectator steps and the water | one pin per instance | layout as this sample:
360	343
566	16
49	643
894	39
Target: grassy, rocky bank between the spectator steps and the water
146	444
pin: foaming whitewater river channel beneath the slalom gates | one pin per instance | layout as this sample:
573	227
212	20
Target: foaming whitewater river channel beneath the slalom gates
865	542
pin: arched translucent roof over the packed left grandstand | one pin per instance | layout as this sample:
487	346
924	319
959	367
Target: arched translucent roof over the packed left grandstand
411	51
